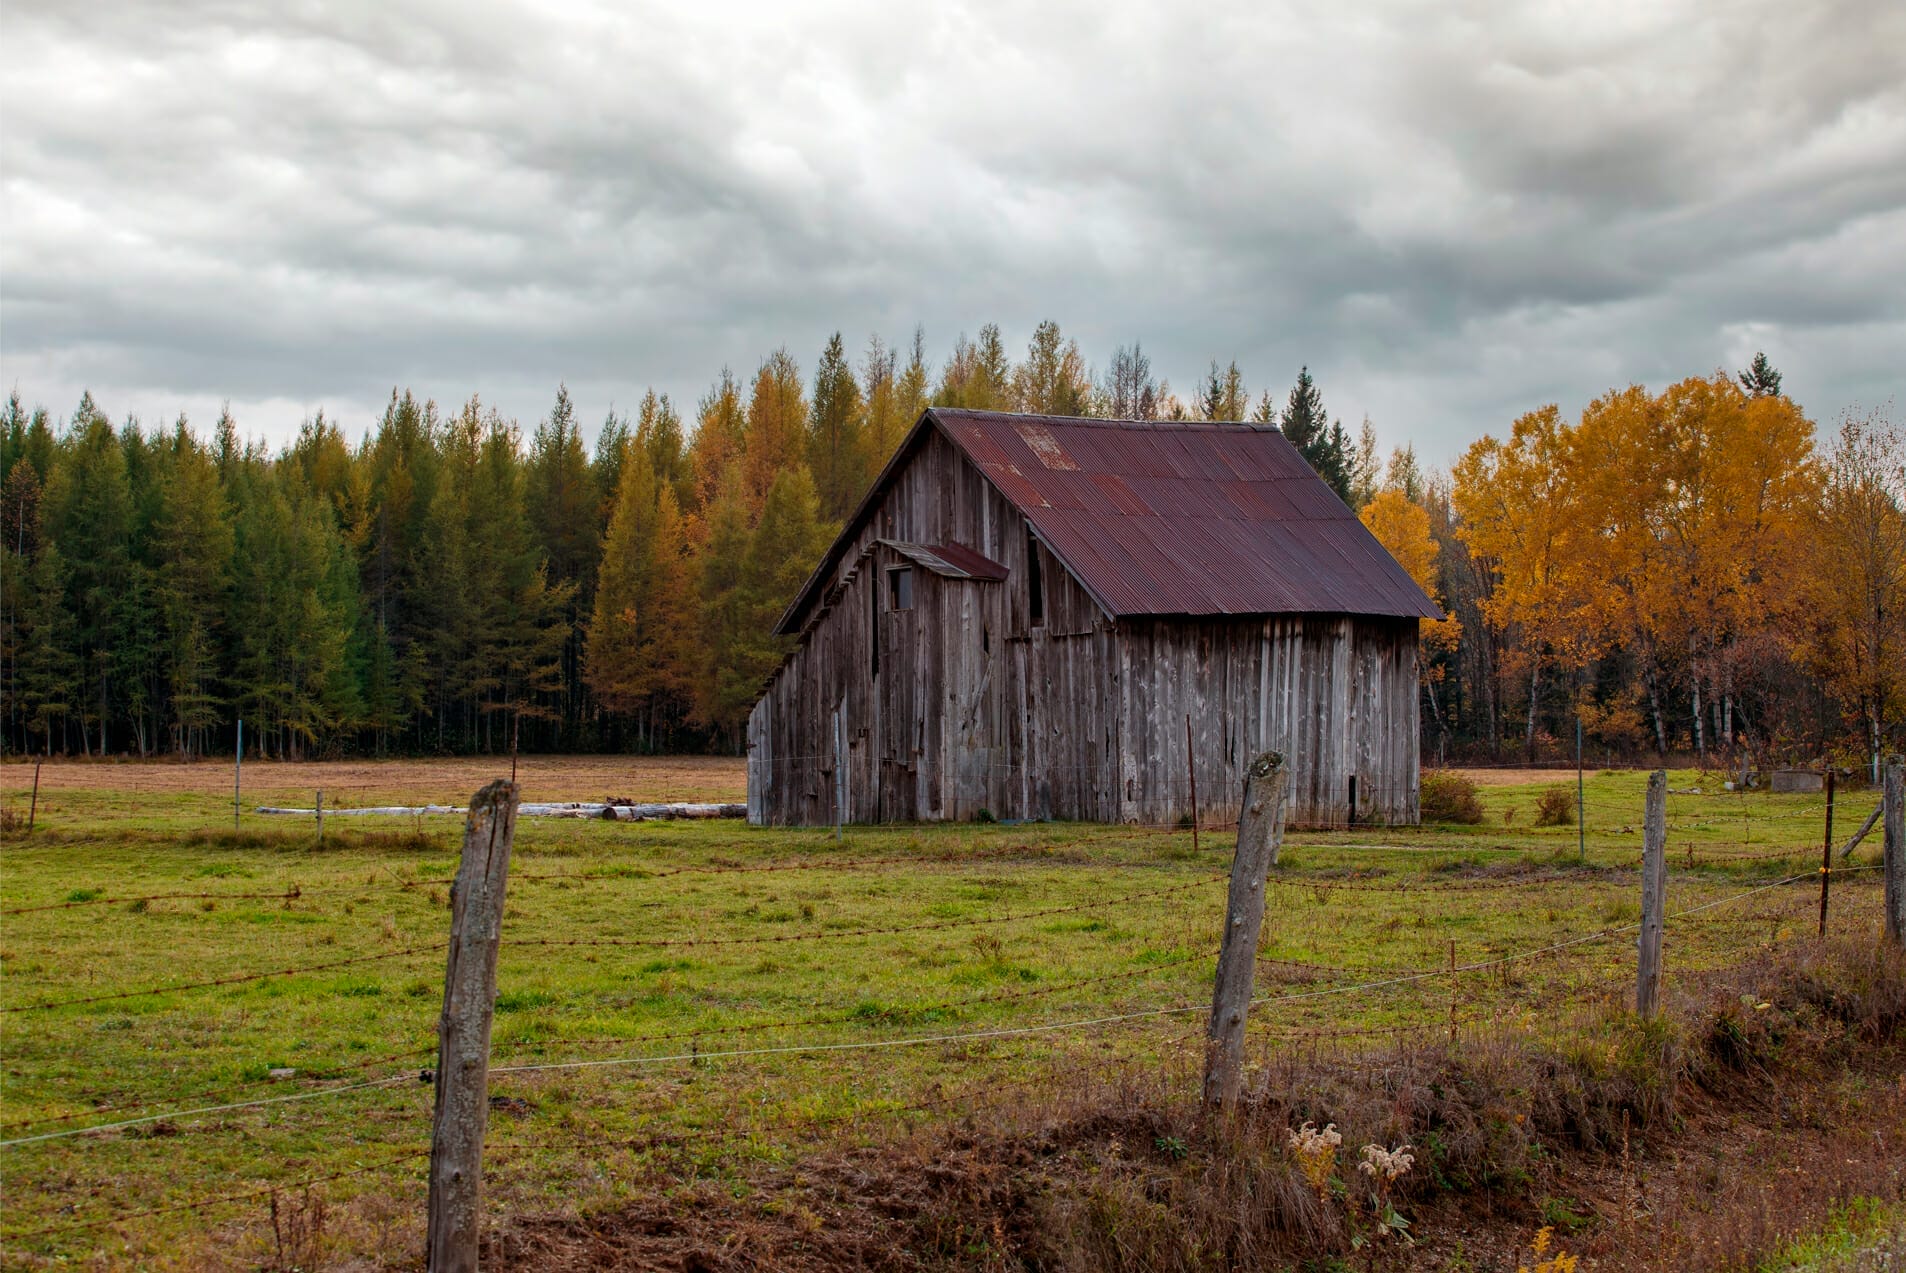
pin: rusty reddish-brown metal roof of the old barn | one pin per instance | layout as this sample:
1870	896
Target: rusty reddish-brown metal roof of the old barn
1167	519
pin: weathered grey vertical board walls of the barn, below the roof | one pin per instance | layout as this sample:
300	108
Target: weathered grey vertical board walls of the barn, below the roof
1080	719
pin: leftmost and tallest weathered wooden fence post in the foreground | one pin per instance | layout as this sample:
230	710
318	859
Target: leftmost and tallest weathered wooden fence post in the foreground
464	1032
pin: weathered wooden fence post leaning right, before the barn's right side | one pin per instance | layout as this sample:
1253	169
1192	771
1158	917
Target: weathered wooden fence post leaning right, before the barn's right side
1261	832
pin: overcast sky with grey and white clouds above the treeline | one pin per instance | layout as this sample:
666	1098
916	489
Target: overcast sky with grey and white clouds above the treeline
1451	212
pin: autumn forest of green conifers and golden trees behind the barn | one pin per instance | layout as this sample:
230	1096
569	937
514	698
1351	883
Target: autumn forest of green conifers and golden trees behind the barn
1695	571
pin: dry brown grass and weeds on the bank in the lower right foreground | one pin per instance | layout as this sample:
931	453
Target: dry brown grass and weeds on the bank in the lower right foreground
1697	1142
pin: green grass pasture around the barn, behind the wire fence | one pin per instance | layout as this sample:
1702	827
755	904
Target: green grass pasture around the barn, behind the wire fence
664	986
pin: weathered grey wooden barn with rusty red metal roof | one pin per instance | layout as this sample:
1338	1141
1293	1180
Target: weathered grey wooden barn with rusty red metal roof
1074	618
